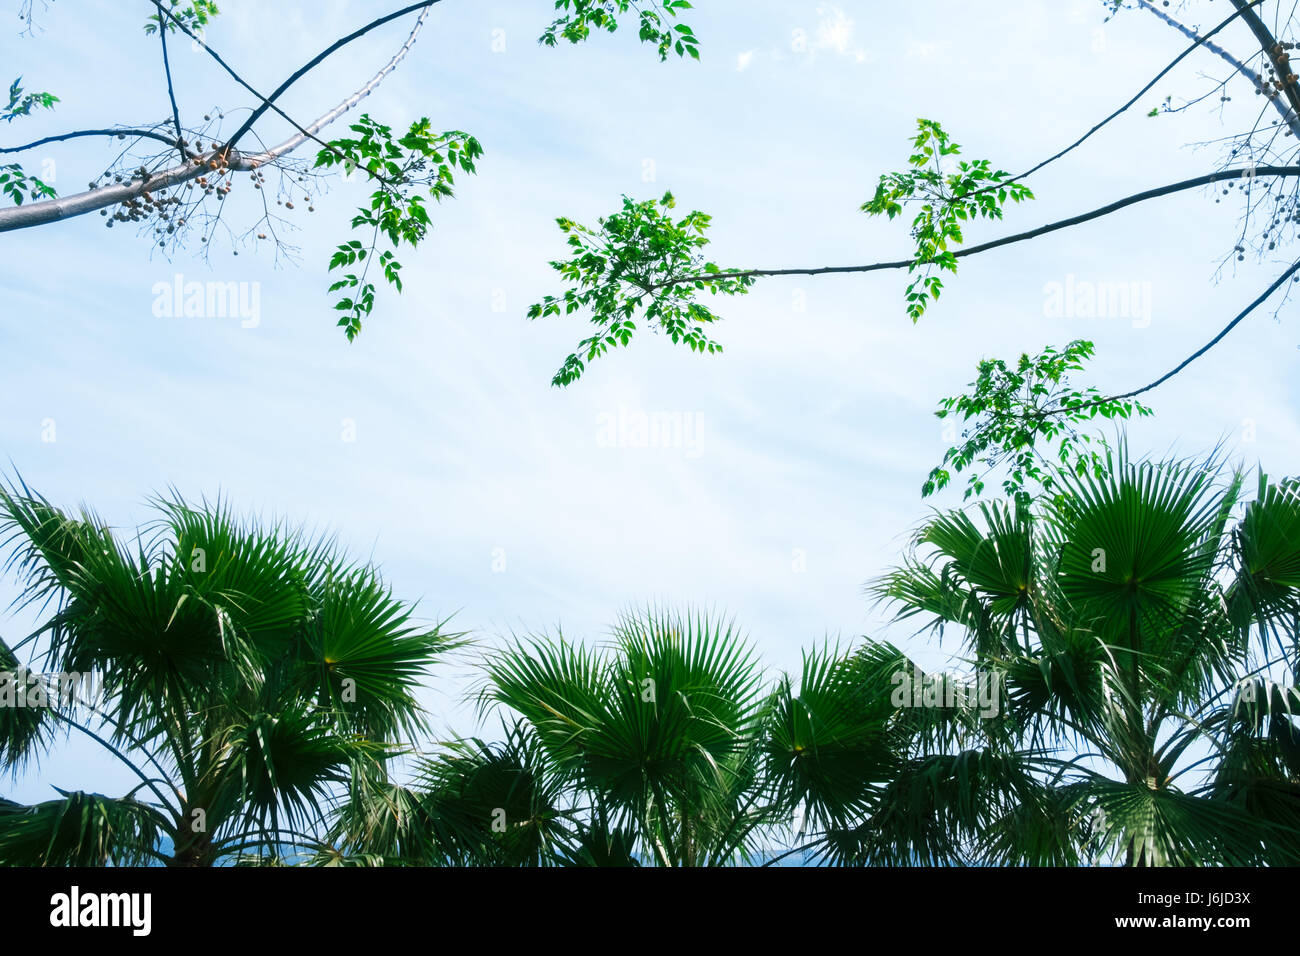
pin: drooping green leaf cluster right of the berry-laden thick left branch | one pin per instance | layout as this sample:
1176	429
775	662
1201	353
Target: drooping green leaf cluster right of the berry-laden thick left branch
404	170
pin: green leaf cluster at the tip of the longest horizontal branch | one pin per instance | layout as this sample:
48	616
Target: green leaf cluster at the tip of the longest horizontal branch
639	261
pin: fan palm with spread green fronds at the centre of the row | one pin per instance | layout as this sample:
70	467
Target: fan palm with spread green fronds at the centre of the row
657	737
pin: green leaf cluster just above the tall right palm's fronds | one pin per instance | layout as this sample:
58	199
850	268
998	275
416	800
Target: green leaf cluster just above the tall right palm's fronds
1011	410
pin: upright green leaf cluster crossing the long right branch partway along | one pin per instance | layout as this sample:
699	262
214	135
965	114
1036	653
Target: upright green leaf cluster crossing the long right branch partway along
972	191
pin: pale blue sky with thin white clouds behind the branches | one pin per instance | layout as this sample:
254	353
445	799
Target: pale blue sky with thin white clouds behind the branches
436	445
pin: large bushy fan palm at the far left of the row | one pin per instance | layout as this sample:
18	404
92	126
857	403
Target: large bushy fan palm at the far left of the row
252	673
